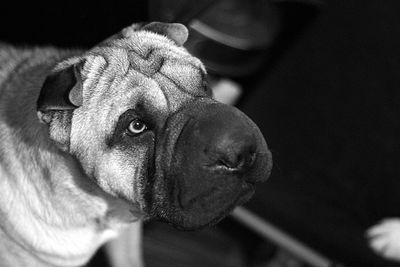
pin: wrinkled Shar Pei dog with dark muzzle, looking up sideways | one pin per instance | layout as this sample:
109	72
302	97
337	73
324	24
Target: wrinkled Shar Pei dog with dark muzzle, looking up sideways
94	141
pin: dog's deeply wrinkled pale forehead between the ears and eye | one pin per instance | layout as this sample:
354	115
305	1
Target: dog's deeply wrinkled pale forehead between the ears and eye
148	62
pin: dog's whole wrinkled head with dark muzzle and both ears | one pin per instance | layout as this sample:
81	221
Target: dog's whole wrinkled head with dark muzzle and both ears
137	113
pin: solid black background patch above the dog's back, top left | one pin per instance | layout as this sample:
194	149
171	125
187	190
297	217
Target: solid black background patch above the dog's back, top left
67	23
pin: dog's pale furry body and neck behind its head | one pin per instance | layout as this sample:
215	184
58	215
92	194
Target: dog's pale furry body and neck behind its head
47	209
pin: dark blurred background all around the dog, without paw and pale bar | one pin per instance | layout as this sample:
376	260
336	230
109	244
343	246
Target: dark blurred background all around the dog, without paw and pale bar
322	81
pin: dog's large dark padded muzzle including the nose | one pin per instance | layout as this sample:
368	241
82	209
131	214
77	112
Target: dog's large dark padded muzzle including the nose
208	161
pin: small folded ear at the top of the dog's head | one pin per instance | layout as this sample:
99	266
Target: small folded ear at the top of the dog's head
175	31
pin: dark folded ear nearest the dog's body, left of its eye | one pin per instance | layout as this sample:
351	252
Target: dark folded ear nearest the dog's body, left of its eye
62	89
